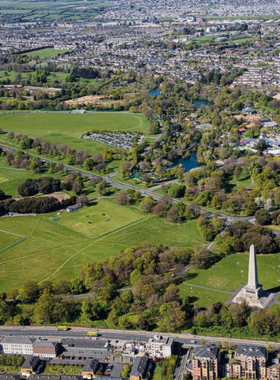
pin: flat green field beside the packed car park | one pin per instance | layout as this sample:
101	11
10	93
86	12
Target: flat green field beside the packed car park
62	127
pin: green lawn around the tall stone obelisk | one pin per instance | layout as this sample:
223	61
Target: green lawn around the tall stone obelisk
227	276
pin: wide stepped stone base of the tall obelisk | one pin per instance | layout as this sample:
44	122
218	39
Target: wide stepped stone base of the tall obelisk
257	297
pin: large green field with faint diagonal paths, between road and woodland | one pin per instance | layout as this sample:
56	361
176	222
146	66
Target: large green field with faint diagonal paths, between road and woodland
57	246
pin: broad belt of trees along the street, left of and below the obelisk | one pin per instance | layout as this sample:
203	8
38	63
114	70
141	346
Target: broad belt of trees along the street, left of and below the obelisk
152	300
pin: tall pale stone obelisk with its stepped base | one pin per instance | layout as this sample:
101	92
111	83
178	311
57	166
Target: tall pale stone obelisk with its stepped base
253	292
